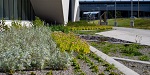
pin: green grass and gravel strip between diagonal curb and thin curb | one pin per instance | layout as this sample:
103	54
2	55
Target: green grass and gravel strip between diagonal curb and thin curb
131	51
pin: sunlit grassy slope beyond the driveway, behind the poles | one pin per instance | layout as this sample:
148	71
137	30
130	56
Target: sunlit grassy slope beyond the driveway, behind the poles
141	23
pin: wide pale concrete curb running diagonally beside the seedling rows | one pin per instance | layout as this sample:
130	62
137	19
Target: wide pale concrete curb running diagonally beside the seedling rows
121	67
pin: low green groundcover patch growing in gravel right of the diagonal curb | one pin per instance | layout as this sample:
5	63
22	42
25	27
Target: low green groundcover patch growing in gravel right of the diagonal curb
128	50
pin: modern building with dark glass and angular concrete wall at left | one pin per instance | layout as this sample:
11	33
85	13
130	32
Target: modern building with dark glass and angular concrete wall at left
51	11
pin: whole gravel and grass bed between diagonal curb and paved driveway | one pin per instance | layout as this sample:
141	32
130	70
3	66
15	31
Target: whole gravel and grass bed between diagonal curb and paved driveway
122	49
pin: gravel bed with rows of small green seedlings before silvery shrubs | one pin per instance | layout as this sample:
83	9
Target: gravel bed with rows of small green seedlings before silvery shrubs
89	64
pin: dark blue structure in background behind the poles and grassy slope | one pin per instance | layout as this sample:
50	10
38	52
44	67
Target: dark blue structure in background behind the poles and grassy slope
141	8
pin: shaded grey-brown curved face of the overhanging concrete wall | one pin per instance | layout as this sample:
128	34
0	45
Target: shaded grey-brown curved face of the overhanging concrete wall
49	10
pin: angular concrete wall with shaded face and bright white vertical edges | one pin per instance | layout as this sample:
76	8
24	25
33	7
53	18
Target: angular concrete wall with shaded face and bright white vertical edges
56	11
